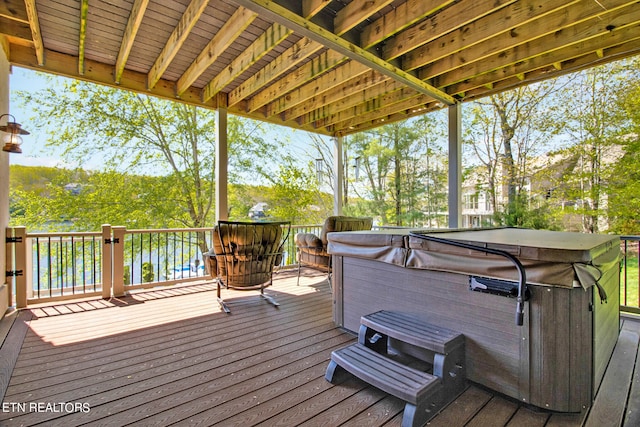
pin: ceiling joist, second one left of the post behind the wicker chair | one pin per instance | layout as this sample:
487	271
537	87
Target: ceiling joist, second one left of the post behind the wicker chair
229	32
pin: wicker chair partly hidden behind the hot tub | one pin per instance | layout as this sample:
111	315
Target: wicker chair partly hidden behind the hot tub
312	250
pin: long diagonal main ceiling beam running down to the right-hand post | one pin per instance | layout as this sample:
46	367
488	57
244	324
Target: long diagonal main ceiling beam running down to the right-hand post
307	28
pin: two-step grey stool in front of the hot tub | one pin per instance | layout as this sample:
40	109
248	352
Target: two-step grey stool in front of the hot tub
385	332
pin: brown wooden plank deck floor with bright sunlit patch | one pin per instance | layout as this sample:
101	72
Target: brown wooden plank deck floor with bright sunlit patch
171	357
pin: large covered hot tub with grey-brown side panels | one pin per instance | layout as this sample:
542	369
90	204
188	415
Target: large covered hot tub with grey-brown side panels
555	360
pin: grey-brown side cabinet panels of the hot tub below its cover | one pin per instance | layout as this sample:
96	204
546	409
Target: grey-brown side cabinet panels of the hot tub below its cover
556	360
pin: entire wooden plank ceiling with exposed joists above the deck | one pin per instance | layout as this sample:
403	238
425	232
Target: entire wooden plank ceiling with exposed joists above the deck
328	66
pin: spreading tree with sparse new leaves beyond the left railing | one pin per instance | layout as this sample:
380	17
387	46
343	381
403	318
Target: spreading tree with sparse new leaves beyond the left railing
140	135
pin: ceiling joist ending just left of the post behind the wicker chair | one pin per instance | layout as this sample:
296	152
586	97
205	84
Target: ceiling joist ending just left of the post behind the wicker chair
267	41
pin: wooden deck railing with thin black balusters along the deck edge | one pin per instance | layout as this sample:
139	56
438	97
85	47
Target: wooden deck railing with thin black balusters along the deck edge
47	267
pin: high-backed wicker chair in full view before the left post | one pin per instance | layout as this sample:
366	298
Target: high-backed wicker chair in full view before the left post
245	254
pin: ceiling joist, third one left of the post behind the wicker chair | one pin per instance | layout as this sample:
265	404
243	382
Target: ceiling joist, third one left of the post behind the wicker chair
176	40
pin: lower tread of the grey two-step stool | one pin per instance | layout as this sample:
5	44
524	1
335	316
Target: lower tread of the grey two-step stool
402	381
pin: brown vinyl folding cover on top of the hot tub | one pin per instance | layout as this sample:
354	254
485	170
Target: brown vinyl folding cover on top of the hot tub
554	258
